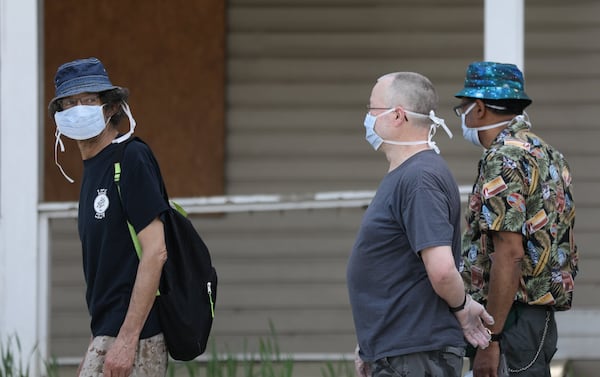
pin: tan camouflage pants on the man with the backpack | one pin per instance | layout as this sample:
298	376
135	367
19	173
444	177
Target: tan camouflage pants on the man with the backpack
150	358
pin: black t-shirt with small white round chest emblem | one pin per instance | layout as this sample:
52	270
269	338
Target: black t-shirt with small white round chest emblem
109	258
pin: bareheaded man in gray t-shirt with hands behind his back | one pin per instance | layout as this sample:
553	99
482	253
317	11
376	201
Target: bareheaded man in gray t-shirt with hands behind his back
410	310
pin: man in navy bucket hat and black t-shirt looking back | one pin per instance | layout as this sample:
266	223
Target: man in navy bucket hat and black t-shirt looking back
120	287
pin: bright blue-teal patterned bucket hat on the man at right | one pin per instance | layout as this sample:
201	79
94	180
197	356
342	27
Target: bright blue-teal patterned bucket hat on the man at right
495	81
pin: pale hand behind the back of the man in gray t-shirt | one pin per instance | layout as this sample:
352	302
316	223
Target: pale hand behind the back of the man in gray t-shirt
472	319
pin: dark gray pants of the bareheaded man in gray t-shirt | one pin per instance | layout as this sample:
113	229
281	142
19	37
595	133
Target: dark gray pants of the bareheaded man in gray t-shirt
445	363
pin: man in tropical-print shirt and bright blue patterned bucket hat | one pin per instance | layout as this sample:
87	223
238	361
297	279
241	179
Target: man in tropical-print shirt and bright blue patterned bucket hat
519	255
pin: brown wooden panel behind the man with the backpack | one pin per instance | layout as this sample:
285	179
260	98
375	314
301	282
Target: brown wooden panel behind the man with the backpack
170	54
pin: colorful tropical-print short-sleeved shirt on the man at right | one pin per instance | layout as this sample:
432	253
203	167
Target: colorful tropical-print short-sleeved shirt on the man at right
524	186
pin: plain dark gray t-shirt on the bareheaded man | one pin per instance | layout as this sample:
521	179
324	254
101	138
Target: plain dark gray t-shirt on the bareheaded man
395	309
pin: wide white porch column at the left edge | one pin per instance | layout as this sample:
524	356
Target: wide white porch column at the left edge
20	310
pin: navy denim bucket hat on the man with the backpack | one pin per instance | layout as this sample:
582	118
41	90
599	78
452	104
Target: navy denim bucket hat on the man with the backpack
81	76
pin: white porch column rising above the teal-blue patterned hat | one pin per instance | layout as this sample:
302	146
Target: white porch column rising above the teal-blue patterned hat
504	31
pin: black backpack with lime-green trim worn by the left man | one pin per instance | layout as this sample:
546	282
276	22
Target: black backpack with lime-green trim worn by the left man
188	285
